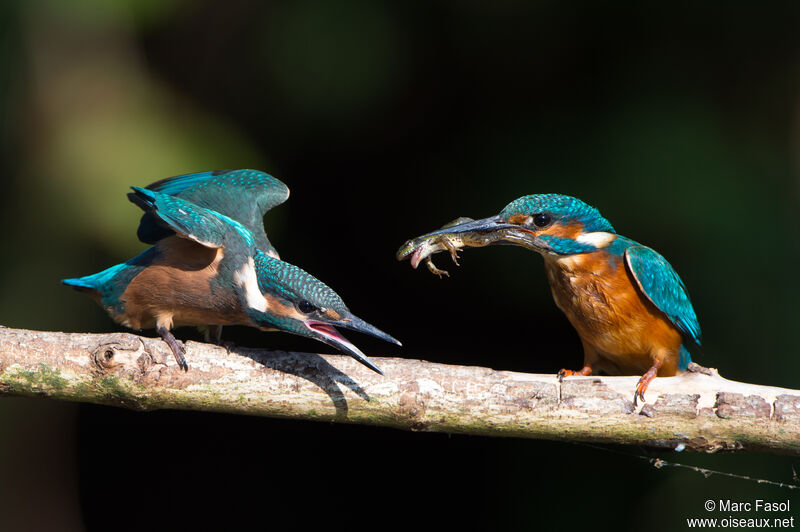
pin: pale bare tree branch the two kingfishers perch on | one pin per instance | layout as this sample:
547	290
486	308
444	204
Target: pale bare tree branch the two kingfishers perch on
694	411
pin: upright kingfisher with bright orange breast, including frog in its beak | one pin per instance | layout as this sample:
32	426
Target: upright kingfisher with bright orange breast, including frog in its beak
629	307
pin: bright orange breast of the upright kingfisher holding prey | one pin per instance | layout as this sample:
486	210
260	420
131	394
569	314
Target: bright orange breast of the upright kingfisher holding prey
621	330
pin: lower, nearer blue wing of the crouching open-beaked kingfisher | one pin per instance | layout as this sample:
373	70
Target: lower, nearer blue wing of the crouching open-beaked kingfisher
204	226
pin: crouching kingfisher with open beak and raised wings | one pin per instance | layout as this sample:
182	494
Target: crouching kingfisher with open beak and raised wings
211	264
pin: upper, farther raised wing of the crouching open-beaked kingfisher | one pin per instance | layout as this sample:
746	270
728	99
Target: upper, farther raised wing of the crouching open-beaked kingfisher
241	195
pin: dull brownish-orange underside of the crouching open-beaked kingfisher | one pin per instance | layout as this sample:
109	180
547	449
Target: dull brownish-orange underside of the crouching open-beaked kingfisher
176	289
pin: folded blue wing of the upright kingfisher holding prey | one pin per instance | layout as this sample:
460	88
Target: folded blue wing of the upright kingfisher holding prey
662	286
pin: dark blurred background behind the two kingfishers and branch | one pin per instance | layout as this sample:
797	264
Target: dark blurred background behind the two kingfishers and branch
678	121
